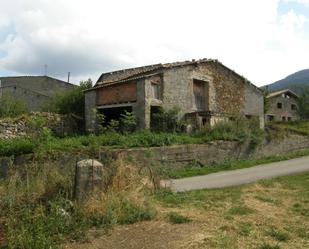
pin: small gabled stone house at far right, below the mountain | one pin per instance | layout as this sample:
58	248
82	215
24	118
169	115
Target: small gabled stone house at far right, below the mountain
282	106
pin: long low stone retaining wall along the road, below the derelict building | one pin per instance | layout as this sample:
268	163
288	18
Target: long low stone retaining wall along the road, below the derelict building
208	154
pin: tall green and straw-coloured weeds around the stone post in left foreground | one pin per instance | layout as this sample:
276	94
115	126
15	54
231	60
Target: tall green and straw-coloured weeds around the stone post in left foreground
37	209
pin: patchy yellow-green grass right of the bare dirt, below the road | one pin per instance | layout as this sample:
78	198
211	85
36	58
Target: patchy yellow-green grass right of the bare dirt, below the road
268	214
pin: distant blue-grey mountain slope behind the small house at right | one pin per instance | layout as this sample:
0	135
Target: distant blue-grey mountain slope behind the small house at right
295	82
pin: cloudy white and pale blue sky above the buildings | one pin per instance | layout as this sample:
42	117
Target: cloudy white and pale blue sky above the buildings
263	40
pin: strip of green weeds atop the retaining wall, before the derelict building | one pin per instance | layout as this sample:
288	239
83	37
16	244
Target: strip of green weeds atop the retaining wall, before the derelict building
45	143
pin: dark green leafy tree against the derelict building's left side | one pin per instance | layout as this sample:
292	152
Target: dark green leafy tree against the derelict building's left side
70	101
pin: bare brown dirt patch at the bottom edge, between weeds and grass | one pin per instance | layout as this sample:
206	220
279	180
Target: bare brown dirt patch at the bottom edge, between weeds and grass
144	235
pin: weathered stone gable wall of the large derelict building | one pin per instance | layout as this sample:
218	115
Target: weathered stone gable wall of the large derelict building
227	93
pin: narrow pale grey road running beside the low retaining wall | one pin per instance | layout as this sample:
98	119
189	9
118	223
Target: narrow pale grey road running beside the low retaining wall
240	176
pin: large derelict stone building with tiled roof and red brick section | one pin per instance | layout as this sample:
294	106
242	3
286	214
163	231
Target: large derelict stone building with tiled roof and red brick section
205	91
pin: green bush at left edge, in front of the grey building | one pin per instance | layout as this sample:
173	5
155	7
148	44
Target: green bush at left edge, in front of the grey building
10	107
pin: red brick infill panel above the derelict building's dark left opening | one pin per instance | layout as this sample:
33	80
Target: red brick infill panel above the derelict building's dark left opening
116	94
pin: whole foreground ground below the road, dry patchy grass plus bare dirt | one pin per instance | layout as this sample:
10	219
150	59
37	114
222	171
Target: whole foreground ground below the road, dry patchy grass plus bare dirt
270	214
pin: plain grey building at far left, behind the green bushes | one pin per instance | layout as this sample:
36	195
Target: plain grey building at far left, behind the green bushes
35	91
